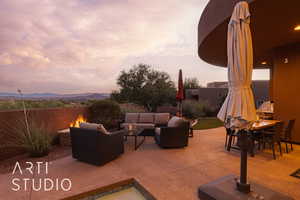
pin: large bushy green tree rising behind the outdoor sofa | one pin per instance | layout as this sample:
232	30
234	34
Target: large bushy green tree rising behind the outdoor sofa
145	86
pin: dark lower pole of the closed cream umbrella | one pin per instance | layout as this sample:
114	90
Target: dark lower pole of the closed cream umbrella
242	184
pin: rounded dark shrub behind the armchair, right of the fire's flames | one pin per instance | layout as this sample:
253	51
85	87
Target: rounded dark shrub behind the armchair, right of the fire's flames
105	112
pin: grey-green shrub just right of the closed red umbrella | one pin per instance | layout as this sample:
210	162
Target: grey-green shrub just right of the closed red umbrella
192	109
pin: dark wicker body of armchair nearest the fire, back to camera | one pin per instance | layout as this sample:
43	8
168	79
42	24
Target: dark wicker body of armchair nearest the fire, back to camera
94	147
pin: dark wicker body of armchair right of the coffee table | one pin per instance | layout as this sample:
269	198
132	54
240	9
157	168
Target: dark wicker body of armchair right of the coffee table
173	137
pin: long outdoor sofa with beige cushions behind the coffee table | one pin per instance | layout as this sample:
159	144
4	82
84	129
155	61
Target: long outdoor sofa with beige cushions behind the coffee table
146	121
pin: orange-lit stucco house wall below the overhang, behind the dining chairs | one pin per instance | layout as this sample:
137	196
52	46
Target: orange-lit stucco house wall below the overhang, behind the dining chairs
286	85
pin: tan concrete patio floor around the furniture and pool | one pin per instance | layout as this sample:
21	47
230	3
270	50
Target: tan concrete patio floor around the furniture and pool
166	173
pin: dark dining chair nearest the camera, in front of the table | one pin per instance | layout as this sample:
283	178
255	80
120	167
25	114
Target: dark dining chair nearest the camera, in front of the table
274	137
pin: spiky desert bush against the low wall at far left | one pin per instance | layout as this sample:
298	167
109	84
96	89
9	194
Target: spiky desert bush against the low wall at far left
35	139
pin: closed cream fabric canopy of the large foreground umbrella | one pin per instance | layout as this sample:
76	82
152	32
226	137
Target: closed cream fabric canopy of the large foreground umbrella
239	101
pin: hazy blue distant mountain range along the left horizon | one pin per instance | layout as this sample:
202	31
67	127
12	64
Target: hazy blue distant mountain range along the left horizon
81	96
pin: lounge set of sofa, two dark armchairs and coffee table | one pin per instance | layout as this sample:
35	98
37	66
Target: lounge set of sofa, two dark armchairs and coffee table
93	144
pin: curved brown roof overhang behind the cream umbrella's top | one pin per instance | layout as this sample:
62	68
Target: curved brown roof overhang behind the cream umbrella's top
272	26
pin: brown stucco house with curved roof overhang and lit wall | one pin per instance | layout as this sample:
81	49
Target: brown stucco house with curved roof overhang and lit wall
275	27
